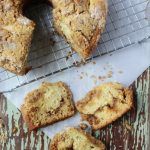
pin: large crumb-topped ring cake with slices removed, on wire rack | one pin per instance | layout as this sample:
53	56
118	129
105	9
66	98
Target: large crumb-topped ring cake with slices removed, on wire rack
81	22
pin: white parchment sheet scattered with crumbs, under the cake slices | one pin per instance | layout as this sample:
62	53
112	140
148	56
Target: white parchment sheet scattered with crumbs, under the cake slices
126	66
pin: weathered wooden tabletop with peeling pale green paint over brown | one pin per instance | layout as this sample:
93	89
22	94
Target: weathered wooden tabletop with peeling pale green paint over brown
130	132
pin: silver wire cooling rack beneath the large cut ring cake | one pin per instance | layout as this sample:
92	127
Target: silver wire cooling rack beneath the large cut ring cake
126	25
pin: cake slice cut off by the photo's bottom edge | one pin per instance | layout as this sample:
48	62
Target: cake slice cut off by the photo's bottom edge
75	139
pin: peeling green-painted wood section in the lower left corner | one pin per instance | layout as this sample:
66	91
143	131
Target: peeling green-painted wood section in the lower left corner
17	135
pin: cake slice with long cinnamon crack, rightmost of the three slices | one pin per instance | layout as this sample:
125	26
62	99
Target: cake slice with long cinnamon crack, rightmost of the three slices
104	104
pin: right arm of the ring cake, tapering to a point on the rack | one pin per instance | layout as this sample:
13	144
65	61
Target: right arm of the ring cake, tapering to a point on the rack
80	22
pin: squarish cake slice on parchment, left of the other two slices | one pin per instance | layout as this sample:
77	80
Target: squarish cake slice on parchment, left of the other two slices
50	103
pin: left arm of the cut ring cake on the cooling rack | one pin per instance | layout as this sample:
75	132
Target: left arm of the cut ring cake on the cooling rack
15	36
